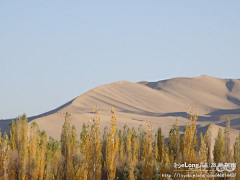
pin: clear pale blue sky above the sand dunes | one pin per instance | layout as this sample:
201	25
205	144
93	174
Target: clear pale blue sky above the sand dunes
54	51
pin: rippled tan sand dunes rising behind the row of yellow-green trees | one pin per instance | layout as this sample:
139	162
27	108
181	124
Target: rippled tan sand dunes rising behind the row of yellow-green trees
161	103
